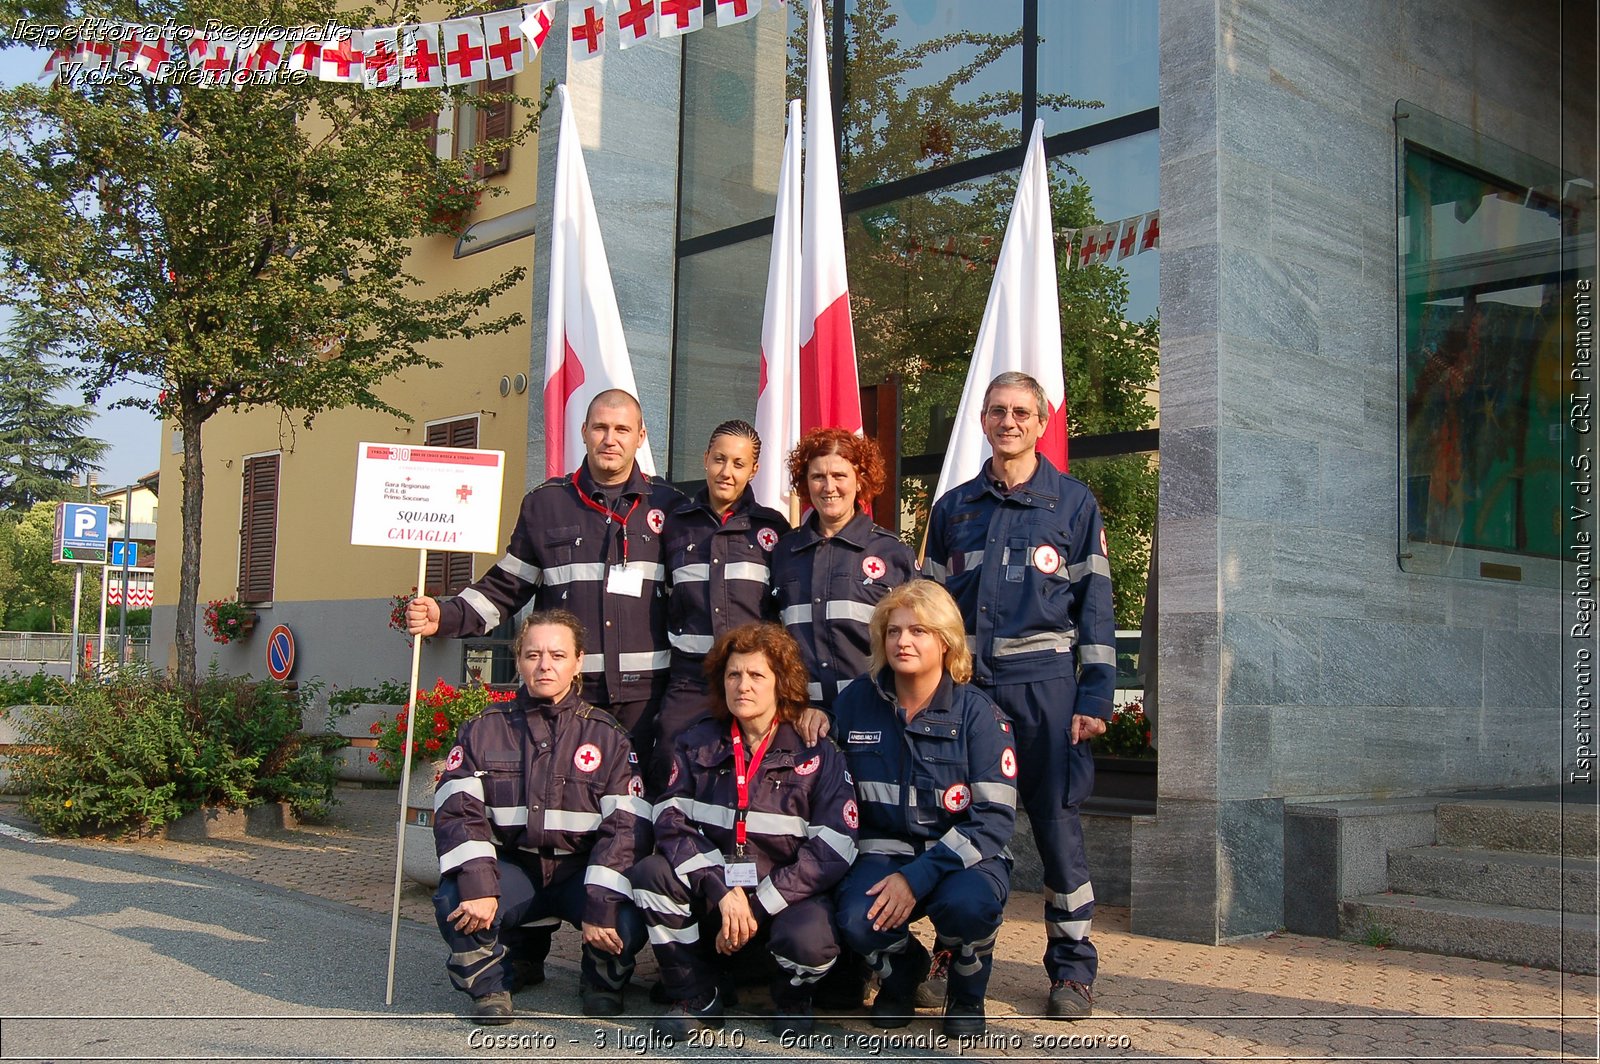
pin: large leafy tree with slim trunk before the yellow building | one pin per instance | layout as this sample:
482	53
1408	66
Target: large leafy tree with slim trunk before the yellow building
234	249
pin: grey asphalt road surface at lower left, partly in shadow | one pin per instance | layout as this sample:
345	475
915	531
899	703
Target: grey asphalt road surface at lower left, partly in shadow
116	956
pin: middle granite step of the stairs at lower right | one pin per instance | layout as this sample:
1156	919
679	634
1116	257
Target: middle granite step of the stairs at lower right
1497	878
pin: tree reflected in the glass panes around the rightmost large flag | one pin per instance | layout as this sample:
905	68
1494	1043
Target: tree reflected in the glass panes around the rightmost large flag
921	268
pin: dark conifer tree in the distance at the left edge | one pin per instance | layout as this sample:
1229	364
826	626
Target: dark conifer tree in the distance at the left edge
42	442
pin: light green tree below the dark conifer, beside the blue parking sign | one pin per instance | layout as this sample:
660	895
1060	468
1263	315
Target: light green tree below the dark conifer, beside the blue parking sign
38	593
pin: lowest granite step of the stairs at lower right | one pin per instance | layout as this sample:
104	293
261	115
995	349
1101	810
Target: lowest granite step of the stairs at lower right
1540	938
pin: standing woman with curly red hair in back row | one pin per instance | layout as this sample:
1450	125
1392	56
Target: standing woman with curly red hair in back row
833	570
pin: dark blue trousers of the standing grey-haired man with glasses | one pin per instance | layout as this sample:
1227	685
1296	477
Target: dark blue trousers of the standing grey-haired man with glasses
1042	722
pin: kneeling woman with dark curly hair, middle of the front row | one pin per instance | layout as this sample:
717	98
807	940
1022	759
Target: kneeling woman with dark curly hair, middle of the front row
754	831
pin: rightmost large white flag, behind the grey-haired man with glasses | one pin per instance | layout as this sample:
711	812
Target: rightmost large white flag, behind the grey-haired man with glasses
1022	329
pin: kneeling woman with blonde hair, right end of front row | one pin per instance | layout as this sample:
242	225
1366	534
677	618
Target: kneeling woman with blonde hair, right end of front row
937	774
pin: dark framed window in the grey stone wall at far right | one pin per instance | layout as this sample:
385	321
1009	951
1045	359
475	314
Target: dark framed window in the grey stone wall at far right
1486	260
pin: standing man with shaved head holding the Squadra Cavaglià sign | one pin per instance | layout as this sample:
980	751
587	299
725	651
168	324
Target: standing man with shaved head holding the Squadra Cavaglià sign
588	542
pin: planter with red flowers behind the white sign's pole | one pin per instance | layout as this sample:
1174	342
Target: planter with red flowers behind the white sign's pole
439	718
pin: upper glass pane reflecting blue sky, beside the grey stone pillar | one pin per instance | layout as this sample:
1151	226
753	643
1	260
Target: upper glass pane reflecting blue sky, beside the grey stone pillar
1095	54
